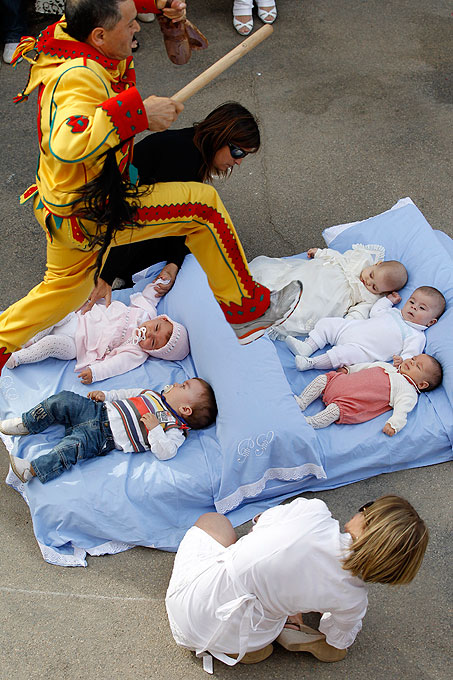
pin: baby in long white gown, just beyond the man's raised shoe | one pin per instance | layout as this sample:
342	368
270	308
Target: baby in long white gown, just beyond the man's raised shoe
335	284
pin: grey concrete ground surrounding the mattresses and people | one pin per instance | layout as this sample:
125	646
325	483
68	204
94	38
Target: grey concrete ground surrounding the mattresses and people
355	105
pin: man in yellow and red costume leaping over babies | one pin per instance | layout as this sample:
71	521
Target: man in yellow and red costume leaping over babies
88	104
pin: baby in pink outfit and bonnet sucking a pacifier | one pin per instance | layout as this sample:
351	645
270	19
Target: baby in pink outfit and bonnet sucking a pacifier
108	341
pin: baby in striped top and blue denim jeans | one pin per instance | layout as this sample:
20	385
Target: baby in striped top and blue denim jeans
132	420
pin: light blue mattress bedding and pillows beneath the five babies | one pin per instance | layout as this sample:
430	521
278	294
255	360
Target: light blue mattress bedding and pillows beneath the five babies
261	450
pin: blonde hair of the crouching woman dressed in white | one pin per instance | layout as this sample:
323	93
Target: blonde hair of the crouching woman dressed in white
392	545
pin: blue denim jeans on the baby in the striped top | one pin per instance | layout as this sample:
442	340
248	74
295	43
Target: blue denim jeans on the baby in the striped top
87	432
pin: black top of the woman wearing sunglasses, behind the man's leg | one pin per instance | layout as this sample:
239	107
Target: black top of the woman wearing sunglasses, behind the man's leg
169	156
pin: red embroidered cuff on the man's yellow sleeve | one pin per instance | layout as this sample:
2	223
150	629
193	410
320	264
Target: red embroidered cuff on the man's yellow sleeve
127	113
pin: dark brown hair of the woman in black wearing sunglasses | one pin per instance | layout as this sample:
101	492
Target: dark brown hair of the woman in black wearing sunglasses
230	123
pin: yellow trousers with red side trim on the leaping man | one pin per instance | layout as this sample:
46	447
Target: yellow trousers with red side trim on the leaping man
186	209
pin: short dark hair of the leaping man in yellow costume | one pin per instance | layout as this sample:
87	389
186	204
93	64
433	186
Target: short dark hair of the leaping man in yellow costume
82	16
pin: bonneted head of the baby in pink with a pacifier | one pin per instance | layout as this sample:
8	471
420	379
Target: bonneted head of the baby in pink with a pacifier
164	338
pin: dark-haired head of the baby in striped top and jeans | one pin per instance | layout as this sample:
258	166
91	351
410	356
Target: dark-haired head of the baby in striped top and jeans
194	400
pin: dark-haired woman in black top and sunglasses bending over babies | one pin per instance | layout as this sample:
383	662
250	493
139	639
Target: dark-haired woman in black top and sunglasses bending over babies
208	149
